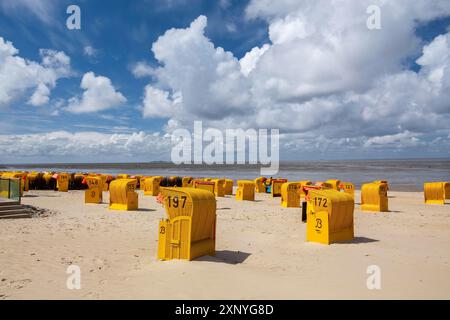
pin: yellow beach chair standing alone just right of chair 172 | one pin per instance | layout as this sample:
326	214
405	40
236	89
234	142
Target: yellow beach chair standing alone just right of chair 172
374	197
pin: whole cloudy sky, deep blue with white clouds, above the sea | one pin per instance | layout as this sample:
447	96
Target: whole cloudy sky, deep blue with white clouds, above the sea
281	90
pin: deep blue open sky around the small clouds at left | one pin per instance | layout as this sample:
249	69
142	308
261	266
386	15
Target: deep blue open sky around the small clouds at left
122	33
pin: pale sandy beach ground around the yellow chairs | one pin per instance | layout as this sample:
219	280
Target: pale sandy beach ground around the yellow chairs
261	253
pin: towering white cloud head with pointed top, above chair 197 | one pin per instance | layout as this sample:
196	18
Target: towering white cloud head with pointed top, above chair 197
208	78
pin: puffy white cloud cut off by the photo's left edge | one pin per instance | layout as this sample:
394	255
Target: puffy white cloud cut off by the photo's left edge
20	77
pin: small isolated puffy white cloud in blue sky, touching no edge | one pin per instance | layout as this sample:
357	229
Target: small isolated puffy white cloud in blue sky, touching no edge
99	95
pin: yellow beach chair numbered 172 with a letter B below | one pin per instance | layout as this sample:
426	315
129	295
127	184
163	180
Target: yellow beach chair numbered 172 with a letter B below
329	216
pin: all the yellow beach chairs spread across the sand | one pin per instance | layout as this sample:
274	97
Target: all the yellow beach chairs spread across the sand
190	203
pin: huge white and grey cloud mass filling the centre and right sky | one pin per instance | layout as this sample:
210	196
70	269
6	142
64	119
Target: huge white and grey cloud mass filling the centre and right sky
323	76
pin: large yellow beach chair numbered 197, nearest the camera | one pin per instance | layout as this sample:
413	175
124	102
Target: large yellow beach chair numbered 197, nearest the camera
190	230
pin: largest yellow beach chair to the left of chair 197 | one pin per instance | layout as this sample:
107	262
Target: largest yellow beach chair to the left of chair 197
122	195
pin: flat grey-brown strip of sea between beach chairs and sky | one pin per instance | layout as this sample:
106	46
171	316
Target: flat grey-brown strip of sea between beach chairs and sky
402	174
